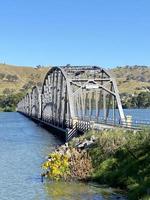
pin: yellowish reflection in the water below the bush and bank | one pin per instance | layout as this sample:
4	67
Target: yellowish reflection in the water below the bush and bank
79	191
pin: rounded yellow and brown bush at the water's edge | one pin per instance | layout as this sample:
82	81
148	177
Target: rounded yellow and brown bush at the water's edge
67	163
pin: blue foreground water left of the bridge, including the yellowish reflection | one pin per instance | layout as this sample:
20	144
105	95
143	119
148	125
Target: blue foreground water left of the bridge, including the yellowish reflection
23	147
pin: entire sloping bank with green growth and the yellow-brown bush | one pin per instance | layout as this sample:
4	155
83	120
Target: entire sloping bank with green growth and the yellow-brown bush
118	158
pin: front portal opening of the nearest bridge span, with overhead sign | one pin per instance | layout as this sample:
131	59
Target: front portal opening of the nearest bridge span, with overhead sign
94	94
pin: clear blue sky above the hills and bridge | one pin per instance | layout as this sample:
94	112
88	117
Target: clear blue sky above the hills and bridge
78	32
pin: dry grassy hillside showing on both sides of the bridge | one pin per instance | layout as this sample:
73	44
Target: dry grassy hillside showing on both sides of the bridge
14	79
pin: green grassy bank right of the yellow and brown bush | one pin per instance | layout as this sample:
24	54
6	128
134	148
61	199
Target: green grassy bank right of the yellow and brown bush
125	162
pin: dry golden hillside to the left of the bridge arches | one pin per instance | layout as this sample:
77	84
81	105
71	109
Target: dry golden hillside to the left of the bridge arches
15	79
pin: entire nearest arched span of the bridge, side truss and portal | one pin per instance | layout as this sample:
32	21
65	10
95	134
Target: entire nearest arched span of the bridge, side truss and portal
82	93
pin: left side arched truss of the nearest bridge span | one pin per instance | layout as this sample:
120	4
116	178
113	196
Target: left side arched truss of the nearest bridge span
56	102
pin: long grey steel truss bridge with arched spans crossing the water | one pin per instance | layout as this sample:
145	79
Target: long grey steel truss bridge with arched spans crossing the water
74	98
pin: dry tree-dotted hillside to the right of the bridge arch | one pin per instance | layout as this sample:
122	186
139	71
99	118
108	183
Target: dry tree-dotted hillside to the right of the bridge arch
132	79
